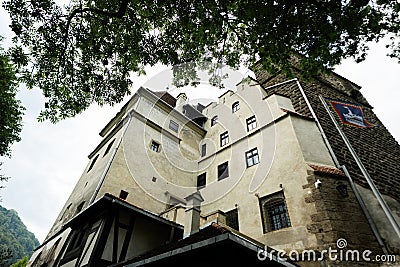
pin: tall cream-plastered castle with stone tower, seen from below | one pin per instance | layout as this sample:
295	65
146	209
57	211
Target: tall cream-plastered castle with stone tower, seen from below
277	165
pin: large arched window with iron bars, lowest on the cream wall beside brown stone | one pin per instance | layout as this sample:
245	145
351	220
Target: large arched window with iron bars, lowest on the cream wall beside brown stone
274	212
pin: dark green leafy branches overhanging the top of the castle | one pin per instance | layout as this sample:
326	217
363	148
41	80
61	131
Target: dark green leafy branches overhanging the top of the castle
85	52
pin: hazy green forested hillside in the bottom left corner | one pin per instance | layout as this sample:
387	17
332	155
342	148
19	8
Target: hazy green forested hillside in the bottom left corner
15	236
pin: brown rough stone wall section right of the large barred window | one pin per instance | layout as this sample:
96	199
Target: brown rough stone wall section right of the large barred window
337	218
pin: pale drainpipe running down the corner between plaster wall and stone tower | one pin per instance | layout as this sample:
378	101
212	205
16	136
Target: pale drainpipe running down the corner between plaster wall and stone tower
343	167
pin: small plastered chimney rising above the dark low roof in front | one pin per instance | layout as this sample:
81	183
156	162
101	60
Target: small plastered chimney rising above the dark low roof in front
192	213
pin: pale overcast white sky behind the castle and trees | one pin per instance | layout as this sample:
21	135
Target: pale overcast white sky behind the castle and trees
49	160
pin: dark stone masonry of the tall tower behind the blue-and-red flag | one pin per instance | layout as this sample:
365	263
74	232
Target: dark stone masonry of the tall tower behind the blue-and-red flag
376	147
